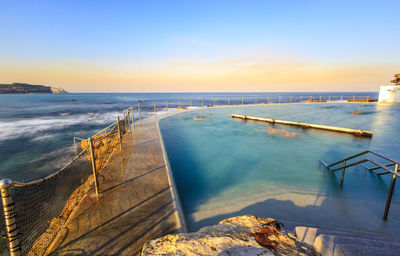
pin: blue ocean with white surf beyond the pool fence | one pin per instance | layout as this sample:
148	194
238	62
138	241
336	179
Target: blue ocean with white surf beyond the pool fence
36	130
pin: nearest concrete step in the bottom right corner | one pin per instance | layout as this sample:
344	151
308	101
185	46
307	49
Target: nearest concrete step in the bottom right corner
329	245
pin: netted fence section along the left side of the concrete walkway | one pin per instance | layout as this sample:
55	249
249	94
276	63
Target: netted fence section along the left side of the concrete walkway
33	212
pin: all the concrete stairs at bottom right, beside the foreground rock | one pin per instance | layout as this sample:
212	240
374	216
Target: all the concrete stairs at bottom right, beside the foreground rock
347	242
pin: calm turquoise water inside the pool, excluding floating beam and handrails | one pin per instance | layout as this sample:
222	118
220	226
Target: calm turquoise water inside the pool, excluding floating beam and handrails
226	167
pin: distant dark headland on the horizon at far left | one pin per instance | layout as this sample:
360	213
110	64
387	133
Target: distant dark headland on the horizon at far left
22	88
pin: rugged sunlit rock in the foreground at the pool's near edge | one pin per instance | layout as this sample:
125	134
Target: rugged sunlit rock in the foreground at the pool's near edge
243	235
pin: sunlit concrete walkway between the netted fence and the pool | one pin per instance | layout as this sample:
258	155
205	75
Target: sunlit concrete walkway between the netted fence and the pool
136	203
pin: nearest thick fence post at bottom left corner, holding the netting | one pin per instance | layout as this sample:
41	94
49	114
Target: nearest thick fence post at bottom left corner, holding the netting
9	218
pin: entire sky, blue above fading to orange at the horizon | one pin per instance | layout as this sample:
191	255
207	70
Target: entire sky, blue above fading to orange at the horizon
200	46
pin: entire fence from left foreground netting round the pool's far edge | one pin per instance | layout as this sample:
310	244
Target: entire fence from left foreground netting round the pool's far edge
32	210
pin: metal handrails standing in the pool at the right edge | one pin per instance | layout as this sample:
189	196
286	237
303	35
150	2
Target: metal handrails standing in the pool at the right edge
377	165
